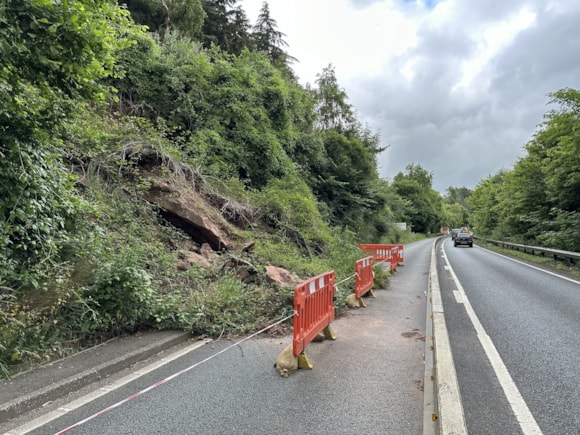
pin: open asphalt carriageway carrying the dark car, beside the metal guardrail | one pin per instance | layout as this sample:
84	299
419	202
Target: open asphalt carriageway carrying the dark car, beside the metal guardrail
532	319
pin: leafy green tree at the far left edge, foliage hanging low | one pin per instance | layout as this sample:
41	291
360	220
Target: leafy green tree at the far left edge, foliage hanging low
54	56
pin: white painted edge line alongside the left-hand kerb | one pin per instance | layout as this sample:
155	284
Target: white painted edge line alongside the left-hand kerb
87	398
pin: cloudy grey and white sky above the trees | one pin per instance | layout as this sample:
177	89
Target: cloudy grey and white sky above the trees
457	86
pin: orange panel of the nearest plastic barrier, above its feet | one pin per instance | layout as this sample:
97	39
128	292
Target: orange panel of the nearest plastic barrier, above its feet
314	306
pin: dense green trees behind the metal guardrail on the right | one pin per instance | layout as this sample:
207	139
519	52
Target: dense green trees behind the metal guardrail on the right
537	202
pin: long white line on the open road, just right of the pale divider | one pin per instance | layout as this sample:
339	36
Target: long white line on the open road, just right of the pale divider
519	407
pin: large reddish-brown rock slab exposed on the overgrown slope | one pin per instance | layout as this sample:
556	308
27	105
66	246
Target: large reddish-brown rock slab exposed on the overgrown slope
182	209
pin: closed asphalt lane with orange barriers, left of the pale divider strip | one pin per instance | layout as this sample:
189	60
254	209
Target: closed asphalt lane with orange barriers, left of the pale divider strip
368	381
